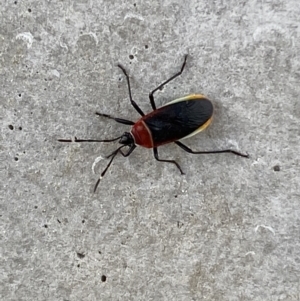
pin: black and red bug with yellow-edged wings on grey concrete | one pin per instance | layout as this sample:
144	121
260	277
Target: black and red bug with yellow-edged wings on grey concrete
177	120
